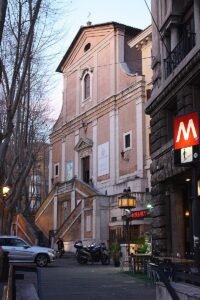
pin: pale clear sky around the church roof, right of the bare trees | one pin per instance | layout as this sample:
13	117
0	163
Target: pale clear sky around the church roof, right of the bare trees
129	12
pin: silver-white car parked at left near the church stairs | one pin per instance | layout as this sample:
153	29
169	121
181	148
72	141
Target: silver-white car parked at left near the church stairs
20	251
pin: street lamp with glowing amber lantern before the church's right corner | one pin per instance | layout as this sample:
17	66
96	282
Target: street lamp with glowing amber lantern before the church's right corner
127	202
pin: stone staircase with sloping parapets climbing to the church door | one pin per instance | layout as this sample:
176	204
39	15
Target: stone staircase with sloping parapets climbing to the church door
71	226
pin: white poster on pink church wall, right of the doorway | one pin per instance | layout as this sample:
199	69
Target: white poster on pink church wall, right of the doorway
103	159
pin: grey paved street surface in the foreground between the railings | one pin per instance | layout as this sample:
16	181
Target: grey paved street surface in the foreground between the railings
69	280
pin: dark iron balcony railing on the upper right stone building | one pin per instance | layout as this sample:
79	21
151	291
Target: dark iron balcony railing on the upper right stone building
179	52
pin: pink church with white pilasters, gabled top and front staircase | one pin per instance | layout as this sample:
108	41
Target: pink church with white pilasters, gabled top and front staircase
99	144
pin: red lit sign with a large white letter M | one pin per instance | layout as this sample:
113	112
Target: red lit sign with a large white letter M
186	131
